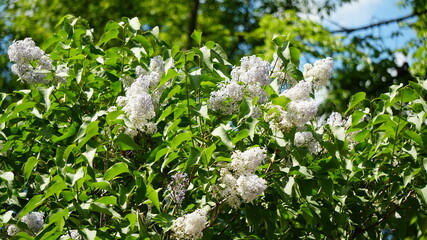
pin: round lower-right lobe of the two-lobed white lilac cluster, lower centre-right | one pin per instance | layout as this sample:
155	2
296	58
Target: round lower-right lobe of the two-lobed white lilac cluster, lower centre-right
250	186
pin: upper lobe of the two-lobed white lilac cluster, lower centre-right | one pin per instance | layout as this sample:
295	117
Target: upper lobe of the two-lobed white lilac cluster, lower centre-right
248	161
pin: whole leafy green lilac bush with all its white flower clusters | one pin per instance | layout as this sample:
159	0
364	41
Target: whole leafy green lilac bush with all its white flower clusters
126	137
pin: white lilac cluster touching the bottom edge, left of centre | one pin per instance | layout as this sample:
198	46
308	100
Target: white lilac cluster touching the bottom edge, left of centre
190	226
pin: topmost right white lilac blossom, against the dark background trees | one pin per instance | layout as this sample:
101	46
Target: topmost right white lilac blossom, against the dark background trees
319	73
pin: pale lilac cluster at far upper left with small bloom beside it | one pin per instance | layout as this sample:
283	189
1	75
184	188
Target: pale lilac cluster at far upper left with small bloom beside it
32	64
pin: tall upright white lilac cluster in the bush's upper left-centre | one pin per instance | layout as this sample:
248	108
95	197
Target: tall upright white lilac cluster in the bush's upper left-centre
142	96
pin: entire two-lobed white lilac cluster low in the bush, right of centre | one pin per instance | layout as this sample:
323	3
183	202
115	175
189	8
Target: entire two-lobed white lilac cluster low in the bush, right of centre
242	181
